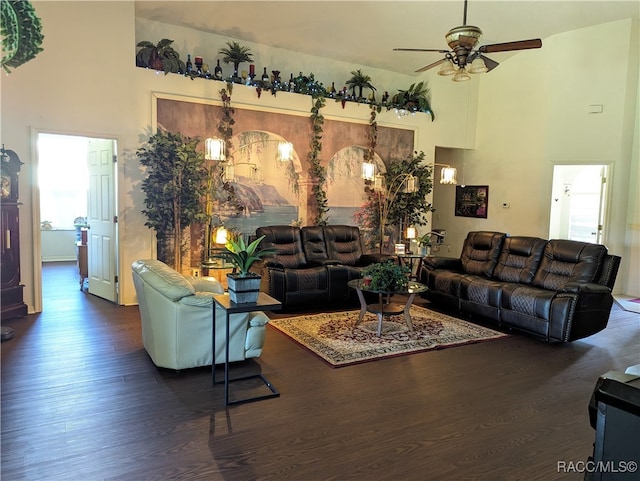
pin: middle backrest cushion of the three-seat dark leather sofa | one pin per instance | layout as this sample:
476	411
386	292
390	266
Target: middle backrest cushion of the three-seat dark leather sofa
519	259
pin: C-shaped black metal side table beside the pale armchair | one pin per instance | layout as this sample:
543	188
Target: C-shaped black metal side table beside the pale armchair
264	303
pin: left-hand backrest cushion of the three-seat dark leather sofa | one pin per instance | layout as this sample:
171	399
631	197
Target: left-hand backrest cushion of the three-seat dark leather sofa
480	252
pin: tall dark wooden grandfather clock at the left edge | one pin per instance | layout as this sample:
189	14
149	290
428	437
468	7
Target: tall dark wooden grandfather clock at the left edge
11	289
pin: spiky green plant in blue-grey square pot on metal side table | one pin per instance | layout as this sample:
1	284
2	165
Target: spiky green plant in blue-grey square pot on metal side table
244	286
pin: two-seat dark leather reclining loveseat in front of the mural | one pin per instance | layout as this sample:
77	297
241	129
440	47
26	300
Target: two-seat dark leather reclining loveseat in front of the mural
312	264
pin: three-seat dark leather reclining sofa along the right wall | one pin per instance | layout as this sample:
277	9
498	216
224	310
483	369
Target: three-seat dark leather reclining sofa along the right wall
559	290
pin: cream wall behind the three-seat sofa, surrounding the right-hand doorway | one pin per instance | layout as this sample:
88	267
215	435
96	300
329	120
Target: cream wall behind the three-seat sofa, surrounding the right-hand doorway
532	114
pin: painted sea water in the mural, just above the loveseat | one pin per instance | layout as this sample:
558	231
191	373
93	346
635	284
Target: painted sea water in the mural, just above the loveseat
286	215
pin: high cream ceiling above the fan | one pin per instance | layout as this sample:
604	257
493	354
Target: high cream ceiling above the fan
365	32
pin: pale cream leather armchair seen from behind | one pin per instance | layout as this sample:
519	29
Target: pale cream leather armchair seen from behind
177	318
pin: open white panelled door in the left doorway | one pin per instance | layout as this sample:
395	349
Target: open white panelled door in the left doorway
101	217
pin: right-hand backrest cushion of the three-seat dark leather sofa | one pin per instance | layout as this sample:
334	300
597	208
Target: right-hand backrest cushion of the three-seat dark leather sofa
569	261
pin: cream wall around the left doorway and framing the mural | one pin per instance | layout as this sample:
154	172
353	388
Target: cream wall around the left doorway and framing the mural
85	83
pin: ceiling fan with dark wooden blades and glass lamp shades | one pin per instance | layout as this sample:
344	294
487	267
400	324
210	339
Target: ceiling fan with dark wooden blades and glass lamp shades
464	57
